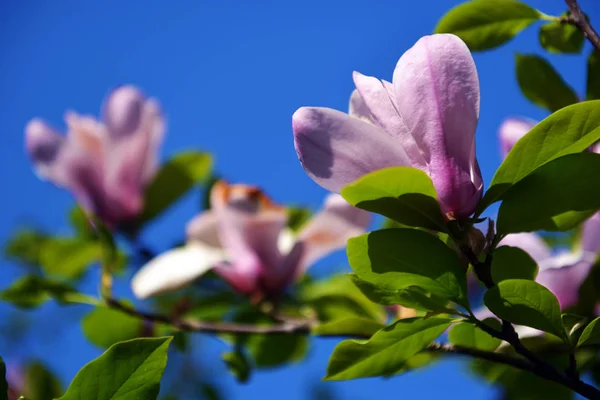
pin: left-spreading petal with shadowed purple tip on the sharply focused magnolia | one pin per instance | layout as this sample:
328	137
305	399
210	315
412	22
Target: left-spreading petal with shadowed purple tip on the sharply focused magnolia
336	149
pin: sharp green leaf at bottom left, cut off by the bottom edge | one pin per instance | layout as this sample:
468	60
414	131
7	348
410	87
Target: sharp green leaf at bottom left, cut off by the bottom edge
127	370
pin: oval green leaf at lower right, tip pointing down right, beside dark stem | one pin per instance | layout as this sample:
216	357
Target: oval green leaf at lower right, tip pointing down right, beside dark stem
528	303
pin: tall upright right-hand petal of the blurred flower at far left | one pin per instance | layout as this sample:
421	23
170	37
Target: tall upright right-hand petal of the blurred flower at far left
134	126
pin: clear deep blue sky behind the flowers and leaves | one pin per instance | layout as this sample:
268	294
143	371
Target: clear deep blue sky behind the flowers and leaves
229	75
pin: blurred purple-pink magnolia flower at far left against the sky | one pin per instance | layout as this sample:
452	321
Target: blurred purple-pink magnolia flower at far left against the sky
106	165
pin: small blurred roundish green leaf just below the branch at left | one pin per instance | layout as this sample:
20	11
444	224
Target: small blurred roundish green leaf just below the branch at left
105	327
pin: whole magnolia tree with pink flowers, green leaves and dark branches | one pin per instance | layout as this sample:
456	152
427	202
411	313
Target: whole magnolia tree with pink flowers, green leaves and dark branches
438	280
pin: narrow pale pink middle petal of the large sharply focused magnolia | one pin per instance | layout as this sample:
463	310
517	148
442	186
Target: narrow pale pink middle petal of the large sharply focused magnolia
384	114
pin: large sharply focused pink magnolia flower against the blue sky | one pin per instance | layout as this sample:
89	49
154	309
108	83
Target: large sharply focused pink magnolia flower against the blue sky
426	118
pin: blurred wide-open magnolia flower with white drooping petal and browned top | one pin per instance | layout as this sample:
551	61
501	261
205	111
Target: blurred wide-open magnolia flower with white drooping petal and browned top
244	240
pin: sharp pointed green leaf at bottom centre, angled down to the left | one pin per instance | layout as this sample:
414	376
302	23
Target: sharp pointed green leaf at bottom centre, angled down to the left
387	351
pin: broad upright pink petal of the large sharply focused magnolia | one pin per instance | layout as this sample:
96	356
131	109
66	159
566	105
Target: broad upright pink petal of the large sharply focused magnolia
437	93
